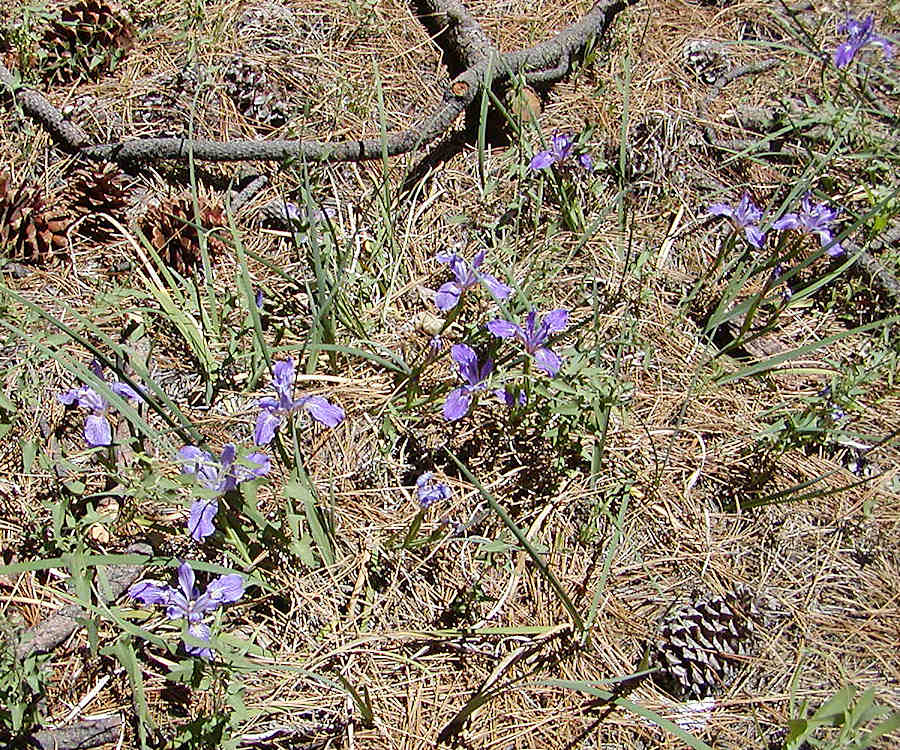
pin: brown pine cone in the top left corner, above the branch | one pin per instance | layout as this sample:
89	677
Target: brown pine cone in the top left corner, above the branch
88	40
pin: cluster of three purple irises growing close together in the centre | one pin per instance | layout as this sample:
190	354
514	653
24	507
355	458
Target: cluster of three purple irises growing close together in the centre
533	336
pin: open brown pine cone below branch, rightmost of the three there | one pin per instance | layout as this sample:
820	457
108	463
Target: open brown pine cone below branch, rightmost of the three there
171	229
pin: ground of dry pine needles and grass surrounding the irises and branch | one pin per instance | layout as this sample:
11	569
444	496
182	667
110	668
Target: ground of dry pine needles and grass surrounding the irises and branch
725	416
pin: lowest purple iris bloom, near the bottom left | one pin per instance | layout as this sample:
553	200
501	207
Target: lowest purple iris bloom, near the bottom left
188	603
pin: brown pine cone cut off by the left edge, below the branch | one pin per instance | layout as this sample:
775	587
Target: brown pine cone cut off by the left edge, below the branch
29	232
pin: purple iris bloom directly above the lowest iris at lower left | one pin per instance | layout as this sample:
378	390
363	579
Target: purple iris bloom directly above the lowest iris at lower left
218	476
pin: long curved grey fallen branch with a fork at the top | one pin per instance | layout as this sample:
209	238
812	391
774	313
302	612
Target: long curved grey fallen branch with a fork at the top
465	43
